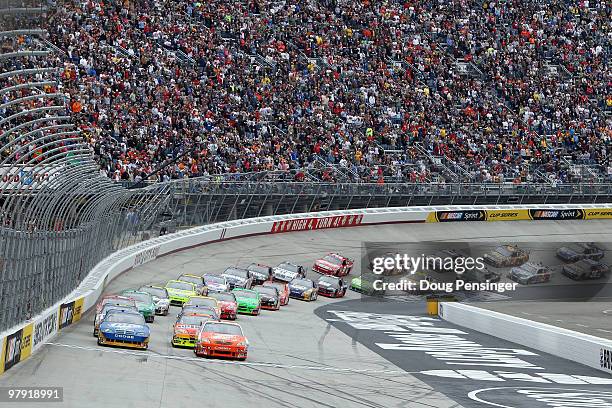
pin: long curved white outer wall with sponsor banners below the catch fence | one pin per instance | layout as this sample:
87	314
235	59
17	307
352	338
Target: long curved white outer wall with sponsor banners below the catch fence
20	342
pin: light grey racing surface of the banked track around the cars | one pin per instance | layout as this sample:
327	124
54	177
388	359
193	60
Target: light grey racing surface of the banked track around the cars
296	358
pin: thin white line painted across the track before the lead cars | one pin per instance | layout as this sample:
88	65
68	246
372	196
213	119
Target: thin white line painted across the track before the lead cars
149	354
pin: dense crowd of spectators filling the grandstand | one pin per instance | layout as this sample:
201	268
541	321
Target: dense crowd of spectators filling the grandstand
414	90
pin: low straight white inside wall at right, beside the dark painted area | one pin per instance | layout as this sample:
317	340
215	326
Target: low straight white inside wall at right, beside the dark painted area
582	348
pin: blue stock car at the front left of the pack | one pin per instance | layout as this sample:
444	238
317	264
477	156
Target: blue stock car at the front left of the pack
124	329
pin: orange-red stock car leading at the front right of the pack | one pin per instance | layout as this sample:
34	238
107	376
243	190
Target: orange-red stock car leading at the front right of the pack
221	339
